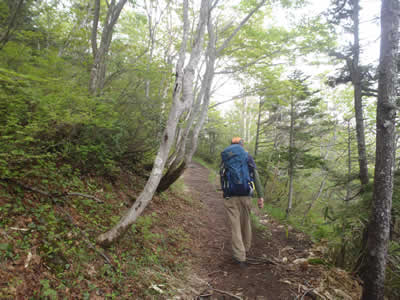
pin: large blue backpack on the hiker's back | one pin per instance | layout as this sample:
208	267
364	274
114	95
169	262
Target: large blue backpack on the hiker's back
234	172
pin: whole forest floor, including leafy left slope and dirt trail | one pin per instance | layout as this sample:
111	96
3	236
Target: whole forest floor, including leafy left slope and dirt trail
179	249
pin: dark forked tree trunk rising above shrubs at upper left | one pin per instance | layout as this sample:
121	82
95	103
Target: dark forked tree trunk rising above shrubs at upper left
98	70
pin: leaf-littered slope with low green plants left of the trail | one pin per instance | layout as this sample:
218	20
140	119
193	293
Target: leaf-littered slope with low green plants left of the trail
48	248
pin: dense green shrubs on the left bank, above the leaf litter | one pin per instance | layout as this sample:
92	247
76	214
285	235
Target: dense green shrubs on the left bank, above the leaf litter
48	122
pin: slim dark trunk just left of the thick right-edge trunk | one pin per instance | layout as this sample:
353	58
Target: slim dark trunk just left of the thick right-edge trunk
356	80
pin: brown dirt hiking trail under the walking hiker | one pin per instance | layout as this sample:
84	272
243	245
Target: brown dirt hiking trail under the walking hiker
287	275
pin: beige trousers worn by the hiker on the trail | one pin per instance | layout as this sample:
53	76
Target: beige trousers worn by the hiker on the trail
238	210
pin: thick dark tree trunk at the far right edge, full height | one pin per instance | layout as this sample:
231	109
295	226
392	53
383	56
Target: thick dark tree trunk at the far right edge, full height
379	226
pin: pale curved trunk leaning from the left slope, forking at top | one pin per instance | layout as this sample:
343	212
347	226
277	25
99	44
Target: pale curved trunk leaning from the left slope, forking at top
179	104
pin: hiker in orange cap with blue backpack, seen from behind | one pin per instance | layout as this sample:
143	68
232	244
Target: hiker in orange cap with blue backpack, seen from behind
239	178
